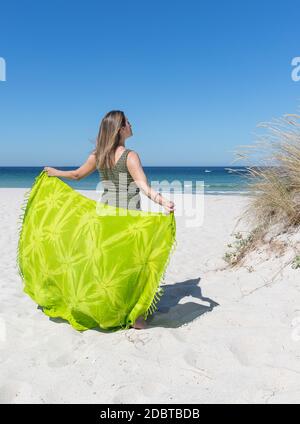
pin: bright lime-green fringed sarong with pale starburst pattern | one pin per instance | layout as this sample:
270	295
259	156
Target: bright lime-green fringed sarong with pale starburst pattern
85	262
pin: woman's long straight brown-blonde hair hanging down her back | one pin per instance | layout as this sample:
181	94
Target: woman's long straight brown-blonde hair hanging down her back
108	138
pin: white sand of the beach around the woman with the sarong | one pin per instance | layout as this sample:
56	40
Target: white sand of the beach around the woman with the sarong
226	336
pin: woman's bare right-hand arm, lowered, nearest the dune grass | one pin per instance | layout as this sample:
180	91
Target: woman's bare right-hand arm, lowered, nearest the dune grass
136	171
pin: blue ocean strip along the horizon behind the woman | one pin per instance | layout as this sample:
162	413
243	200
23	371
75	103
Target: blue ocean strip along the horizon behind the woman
213	179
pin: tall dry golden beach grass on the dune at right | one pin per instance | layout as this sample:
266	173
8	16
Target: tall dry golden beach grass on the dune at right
273	181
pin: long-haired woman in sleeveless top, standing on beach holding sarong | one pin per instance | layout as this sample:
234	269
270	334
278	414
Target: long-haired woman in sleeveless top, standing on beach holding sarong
120	170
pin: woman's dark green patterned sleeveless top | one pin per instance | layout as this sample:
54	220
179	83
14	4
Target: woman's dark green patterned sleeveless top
120	190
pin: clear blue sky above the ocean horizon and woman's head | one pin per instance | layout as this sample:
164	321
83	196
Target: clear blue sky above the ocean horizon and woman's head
194	78
